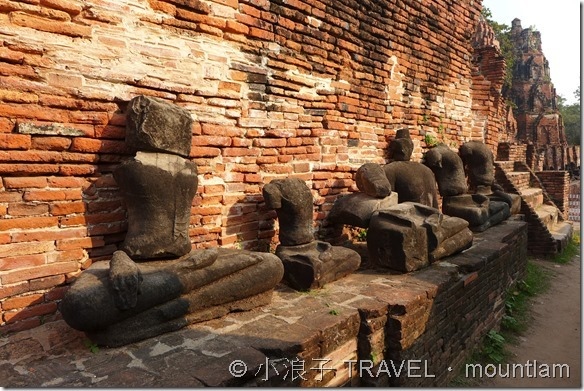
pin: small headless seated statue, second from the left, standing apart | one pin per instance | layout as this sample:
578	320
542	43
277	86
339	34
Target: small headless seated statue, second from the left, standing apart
308	263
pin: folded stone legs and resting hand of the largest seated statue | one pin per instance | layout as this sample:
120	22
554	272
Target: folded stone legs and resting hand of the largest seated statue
202	285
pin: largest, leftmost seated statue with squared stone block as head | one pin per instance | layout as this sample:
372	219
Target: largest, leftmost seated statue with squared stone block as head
156	283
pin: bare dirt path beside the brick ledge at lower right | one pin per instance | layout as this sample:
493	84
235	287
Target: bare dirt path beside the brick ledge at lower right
554	336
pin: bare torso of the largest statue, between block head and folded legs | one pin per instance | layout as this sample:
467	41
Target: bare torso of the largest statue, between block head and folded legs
159	190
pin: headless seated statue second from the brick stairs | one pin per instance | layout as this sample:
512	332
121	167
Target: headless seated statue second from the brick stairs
480	212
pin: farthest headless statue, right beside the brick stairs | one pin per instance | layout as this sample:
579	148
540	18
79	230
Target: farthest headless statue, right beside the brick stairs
479	165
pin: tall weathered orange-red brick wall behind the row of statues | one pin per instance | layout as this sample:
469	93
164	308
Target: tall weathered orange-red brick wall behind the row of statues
277	88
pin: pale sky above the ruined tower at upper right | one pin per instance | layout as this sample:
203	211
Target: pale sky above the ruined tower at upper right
558	21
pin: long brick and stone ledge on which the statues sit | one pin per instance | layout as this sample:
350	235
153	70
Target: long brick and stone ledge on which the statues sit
435	316
